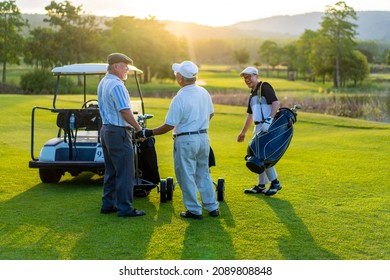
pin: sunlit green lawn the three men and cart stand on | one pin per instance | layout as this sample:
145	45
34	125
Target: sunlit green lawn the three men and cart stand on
335	201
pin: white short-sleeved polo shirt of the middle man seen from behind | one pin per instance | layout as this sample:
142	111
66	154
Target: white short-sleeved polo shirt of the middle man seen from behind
190	109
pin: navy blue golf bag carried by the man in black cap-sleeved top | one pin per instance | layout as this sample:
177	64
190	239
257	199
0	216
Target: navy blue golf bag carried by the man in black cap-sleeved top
266	148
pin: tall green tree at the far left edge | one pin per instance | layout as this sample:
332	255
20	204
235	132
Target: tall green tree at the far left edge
11	44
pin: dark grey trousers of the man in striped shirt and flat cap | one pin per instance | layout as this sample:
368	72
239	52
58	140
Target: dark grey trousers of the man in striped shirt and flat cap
119	168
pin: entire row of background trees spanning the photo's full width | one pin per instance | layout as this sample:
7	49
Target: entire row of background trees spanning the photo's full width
72	36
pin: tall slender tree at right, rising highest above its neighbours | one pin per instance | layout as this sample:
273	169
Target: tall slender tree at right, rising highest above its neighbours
337	29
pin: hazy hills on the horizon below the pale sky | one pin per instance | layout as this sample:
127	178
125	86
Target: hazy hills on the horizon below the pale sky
371	25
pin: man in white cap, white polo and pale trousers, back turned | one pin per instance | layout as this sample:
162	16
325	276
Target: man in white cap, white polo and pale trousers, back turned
188	116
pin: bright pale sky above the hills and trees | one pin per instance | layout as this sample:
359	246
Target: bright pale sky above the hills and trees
206	12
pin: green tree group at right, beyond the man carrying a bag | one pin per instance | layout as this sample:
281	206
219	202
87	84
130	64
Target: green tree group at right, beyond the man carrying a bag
328	53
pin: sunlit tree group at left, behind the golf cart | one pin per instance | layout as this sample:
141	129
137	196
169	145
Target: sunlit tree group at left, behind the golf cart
76	37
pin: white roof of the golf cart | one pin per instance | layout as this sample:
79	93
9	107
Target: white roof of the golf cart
87	69
